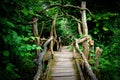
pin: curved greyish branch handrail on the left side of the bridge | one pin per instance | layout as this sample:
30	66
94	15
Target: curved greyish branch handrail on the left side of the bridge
40	59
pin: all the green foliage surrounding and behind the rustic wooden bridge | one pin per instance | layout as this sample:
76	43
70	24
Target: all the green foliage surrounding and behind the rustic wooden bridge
17	53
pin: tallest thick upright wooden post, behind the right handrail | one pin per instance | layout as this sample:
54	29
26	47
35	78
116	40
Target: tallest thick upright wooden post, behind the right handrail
85	29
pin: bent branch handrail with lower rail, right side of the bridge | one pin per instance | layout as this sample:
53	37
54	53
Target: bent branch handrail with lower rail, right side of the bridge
84	60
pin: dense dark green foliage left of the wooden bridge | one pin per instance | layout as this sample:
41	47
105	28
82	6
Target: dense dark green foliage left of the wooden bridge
16	52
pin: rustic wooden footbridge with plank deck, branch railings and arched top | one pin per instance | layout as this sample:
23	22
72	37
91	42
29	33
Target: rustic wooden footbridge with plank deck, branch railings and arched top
66	64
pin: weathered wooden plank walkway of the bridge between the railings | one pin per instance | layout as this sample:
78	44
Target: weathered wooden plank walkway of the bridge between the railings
63	68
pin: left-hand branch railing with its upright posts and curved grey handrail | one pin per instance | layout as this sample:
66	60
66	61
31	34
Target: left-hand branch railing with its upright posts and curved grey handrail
40	54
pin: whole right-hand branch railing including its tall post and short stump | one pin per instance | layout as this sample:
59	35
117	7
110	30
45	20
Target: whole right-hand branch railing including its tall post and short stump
87	45
